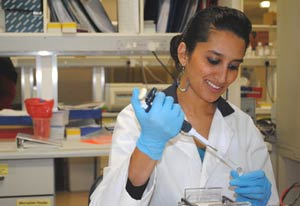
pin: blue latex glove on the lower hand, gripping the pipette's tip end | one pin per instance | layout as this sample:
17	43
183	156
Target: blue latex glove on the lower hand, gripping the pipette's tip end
252	187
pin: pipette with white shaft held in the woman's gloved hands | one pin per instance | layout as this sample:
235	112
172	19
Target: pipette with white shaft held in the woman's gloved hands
187	129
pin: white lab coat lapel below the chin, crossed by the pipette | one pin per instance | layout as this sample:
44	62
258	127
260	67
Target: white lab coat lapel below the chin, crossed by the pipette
220	136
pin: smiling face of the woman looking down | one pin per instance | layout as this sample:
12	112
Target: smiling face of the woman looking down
213	65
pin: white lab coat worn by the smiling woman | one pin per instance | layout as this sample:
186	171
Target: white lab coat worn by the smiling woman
181	166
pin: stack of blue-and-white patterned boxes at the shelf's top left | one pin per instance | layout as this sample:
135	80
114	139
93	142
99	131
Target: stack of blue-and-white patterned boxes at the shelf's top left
23	15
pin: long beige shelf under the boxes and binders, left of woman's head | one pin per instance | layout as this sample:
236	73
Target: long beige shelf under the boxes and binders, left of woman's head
30	44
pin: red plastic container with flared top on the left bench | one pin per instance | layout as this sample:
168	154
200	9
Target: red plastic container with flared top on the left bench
40	111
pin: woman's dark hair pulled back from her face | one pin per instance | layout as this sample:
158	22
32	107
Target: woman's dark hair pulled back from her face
197	30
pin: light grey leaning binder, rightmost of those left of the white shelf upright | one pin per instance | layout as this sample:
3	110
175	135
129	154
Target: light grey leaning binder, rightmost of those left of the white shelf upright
97	13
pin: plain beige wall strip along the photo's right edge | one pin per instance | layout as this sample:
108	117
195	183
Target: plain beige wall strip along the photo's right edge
288	110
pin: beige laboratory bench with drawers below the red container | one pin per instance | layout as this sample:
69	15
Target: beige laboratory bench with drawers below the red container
27	176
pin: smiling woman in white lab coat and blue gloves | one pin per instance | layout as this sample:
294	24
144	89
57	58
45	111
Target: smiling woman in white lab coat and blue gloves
151	162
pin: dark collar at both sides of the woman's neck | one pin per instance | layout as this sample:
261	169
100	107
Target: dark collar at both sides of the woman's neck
222	104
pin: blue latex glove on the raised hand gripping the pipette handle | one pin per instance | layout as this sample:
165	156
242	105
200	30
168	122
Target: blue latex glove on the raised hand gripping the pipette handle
159	125
